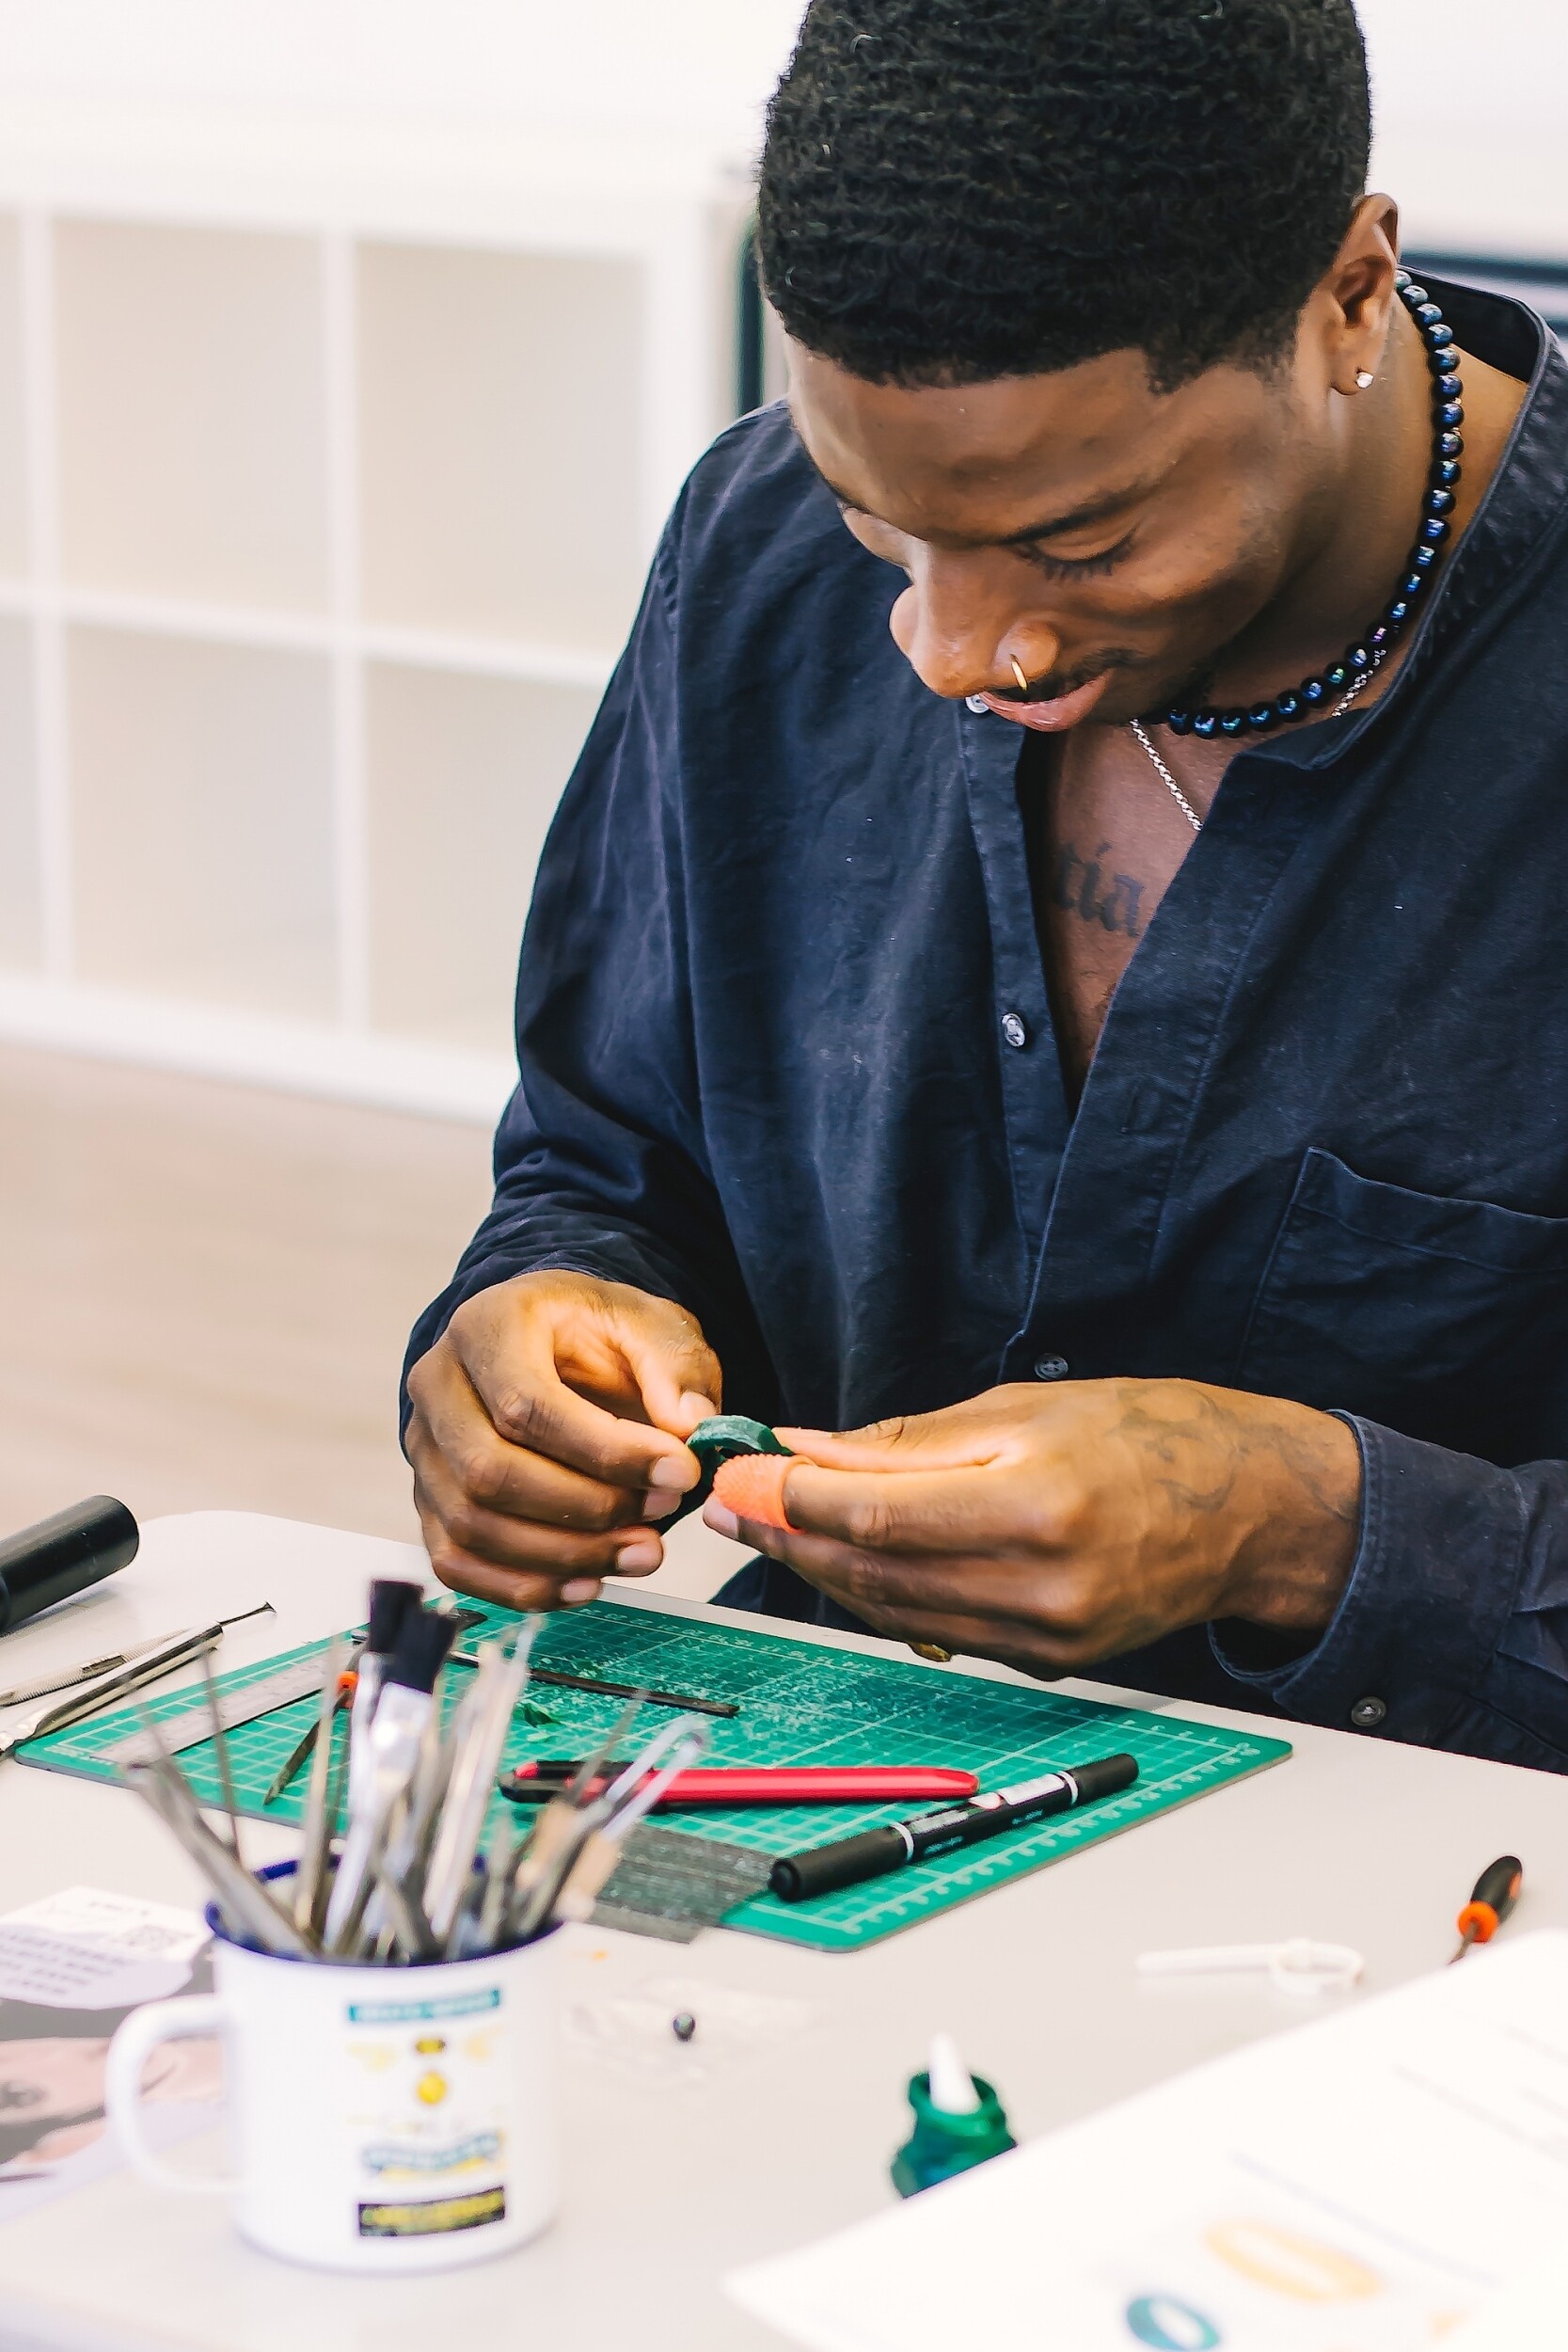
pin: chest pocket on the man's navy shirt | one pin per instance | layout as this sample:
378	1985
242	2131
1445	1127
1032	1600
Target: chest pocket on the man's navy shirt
1440	1318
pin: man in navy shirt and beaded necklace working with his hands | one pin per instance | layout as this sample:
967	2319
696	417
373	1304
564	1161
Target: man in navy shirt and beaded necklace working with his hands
1054	935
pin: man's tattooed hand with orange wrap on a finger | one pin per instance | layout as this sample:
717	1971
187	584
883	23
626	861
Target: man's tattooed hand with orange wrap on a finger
1059	1528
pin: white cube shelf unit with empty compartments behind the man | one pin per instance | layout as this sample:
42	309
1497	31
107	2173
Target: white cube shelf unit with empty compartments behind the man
330	469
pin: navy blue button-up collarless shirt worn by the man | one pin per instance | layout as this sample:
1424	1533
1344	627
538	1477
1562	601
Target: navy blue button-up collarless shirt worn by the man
786	1055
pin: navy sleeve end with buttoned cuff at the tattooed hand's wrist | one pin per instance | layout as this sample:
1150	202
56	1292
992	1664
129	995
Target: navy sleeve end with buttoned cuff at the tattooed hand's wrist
1454	1626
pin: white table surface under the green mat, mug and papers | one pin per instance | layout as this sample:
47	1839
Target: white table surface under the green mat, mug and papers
1353	1840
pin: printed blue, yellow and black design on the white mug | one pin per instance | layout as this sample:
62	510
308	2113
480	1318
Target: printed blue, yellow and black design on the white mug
427	2113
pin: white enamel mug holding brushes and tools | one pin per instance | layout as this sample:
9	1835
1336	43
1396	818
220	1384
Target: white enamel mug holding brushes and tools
380	2118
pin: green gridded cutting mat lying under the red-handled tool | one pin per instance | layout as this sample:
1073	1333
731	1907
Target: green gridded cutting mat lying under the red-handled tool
800	1704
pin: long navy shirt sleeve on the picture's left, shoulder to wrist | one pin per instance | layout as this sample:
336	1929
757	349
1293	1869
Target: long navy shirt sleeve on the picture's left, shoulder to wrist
601	1163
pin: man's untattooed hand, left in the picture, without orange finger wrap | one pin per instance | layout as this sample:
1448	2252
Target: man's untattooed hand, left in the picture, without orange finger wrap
547	1436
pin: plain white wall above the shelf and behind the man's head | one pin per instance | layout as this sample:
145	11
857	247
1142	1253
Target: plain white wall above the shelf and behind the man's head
1473	100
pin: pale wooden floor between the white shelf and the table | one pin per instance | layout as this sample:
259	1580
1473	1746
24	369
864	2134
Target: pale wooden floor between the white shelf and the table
206	1295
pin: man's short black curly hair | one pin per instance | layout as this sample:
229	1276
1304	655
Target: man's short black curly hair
972	189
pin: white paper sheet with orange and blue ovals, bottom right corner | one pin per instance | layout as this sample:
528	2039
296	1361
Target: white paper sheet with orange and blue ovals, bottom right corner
1365	2184
